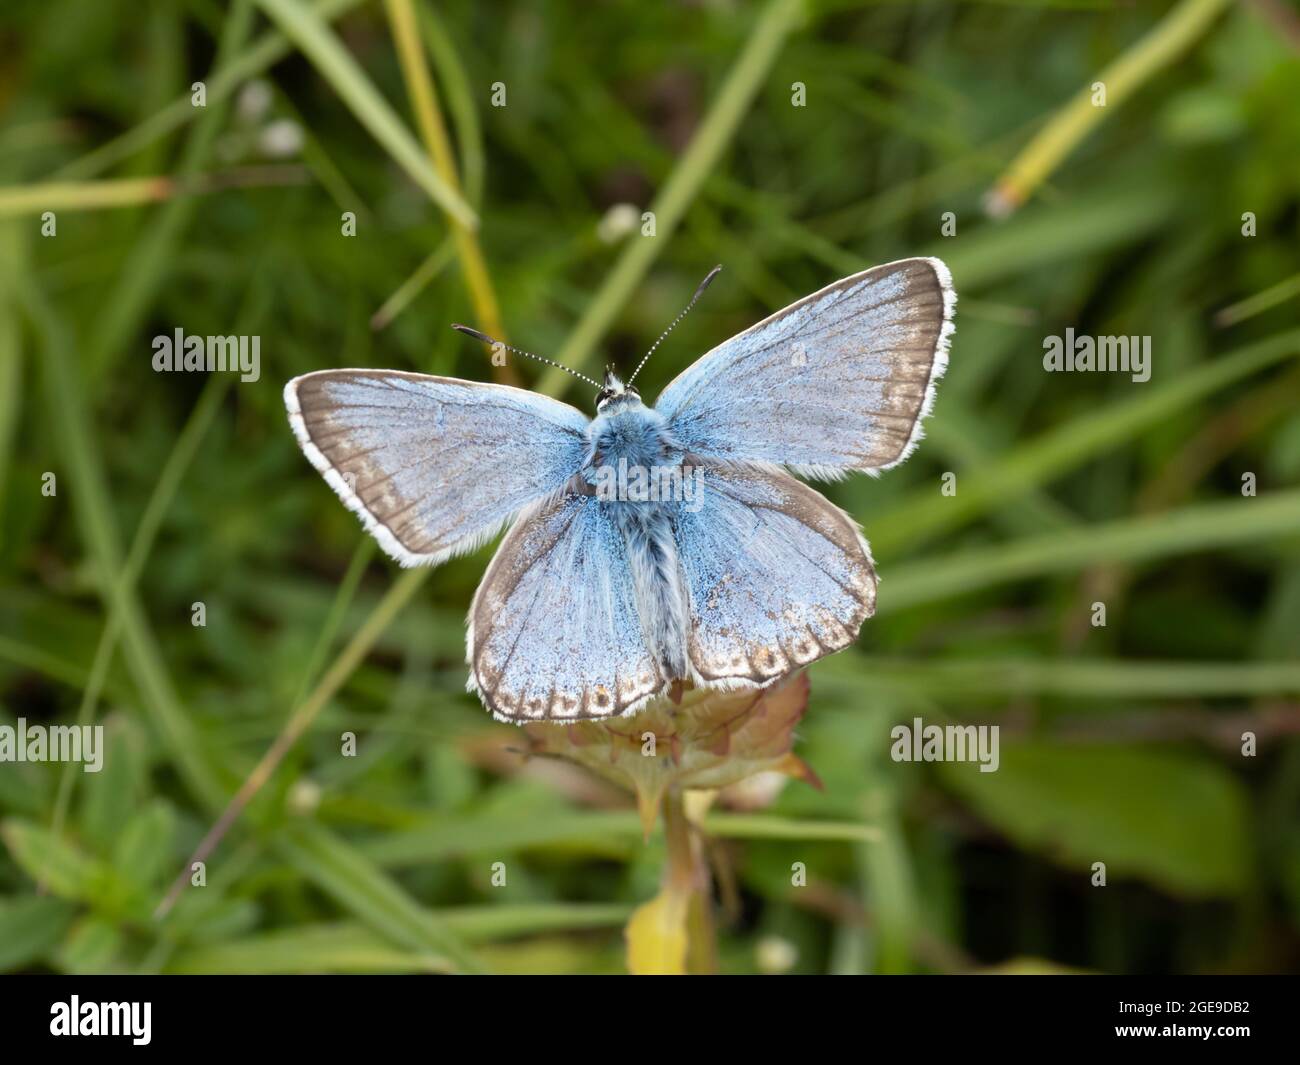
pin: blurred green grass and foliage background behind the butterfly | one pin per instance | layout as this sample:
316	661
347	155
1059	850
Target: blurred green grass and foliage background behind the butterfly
1121	744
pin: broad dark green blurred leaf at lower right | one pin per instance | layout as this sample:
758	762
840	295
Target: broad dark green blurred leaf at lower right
1178	821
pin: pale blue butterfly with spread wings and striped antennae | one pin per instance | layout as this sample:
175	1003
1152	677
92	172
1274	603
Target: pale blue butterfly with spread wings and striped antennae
648	546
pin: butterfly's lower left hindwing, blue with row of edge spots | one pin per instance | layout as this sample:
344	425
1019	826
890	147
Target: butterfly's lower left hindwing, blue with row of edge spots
554	631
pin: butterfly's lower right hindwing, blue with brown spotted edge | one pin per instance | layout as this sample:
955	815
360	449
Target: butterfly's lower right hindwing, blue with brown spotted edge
778	577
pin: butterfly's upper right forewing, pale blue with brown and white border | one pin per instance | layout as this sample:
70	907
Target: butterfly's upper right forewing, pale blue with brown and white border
838	382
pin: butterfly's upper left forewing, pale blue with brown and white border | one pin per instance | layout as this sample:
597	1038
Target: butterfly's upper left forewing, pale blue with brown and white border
434	466
